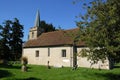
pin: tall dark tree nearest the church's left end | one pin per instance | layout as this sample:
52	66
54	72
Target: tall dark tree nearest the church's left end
16	39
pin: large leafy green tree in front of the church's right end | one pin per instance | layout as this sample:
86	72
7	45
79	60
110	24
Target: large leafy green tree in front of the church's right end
100	30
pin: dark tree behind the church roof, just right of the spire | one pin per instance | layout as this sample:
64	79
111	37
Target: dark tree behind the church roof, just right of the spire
47	27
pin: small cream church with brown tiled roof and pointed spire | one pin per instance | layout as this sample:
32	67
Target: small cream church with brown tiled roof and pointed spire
56	48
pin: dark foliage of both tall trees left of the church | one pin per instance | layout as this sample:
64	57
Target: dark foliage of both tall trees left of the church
11	34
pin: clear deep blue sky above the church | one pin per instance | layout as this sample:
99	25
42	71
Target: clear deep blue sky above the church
60	13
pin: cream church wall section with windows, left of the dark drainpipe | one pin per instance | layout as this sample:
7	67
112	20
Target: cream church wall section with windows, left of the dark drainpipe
55	58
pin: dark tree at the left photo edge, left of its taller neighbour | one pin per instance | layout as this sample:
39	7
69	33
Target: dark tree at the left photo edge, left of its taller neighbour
4	40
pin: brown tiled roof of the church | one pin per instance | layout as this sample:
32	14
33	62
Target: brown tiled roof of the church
55	38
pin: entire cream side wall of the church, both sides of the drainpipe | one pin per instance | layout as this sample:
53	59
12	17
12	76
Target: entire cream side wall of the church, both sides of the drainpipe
56	59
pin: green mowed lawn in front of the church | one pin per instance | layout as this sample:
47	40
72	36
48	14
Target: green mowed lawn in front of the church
36	72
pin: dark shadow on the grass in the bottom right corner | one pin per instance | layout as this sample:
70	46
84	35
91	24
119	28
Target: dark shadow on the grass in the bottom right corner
109	76
